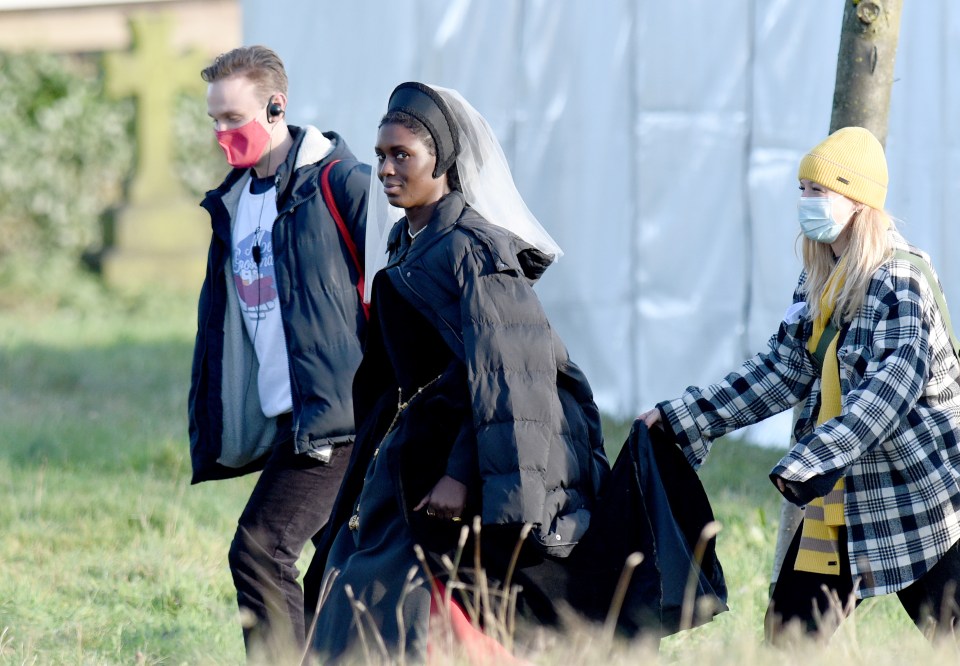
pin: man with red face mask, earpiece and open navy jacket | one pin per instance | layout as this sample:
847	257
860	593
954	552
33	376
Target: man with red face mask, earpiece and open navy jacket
280	331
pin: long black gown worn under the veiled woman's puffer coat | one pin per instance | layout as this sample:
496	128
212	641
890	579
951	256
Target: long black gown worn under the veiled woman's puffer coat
374	552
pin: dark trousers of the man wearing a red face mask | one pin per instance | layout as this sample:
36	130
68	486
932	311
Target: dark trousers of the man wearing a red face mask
290	503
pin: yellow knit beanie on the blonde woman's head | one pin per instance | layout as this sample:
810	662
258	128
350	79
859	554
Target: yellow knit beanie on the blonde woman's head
849	161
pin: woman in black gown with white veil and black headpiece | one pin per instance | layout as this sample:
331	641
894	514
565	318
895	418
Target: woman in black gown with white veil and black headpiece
466	402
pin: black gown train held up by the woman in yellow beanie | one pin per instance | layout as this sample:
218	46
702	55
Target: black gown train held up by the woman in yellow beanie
653	504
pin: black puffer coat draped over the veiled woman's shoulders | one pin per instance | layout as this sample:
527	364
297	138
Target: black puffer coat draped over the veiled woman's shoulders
535	434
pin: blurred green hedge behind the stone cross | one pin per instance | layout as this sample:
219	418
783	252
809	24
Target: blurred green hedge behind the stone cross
66	154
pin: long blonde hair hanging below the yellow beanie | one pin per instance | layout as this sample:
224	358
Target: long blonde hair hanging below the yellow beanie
870	245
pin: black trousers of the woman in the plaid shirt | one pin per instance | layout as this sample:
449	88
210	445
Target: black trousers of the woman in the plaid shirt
932	601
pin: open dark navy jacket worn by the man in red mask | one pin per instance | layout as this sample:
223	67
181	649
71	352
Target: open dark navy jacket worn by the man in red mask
322	317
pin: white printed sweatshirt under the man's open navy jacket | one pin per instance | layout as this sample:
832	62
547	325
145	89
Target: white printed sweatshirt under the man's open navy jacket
256	287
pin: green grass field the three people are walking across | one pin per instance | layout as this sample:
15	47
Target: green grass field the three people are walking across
109	556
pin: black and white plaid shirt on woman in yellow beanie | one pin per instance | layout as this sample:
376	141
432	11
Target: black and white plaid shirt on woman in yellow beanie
895	442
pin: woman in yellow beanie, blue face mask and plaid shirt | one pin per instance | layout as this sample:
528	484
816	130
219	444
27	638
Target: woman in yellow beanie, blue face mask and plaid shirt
866	347
